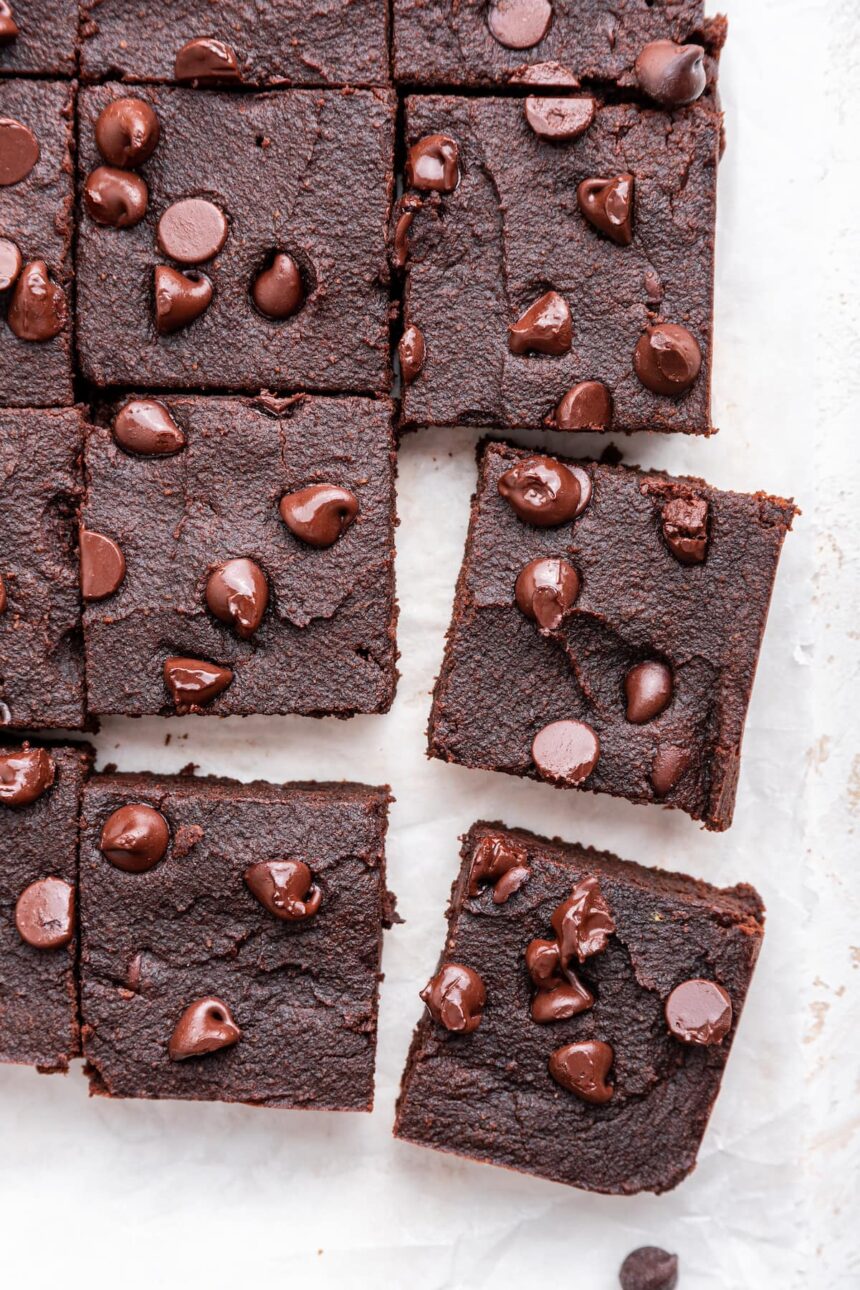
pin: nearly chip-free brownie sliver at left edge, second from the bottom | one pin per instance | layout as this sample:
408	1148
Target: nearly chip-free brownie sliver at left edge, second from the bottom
42	656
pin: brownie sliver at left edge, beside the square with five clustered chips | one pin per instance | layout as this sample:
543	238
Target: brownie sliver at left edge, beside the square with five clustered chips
37	201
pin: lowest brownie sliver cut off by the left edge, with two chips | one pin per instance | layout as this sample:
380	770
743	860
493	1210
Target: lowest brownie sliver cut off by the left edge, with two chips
41	795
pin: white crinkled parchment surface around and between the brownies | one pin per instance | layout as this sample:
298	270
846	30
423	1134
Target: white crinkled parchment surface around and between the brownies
136	1195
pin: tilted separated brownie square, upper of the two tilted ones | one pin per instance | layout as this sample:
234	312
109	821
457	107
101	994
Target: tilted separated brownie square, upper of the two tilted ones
607	630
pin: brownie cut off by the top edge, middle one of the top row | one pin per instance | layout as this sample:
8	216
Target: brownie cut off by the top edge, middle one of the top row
274	43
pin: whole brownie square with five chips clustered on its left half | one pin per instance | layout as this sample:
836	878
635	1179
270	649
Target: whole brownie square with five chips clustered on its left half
300	174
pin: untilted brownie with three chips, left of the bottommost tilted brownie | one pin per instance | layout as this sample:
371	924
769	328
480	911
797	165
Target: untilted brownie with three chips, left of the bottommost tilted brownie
231	940
